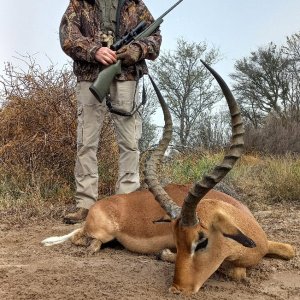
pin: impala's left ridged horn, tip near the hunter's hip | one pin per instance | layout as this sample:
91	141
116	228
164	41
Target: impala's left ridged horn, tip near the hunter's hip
171	208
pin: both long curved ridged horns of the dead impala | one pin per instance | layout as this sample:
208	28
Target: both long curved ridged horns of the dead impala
200	189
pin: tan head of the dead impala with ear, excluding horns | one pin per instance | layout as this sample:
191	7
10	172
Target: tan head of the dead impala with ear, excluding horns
201	249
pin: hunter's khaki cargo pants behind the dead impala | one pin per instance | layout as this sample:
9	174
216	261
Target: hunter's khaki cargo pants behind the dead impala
91	114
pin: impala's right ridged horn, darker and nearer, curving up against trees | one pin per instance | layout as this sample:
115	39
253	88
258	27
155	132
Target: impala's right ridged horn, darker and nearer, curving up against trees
200	189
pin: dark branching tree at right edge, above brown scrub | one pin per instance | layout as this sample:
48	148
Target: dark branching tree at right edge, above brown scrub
267	82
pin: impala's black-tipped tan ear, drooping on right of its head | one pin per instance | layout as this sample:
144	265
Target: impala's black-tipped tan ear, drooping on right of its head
223	223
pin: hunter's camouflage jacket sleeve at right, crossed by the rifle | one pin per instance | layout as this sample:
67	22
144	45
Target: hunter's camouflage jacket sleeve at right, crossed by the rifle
150	45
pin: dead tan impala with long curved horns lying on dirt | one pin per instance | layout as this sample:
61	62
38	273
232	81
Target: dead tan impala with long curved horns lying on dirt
206	227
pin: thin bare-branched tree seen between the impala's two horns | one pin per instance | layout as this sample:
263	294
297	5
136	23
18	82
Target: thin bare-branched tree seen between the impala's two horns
187	86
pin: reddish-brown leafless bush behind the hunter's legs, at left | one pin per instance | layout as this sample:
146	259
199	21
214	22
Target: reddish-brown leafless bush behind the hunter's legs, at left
38	135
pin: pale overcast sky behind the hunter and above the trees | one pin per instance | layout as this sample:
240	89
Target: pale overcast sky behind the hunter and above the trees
236	27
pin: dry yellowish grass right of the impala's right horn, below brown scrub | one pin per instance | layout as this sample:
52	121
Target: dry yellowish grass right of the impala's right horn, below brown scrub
269	179
